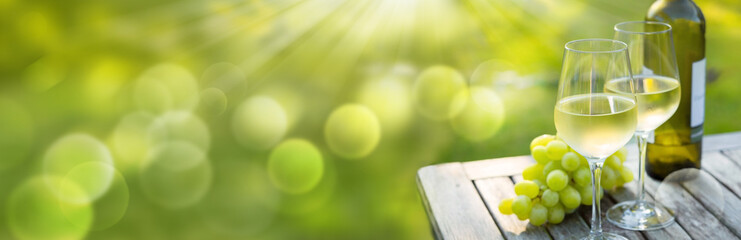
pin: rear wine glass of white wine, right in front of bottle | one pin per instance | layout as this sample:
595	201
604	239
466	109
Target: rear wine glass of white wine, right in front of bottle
654	67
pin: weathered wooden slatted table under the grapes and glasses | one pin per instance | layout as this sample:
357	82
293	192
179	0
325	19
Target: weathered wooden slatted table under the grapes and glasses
461	199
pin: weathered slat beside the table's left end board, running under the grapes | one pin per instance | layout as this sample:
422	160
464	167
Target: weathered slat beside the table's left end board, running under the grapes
492	191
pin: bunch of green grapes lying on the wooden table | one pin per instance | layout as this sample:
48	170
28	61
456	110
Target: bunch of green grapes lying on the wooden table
560	182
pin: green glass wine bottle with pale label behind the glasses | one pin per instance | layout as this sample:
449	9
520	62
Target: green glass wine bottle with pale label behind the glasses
677	143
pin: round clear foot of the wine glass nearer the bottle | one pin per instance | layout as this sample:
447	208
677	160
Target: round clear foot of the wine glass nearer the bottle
639	215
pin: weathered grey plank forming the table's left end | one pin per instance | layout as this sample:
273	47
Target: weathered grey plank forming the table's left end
453	205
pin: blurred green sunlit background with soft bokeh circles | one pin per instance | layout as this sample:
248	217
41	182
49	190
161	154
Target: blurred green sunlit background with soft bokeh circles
73	67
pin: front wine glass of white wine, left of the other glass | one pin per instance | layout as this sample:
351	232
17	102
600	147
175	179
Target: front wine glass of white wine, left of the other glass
593	121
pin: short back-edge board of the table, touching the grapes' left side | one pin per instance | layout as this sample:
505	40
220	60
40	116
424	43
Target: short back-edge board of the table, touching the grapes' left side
497	167
